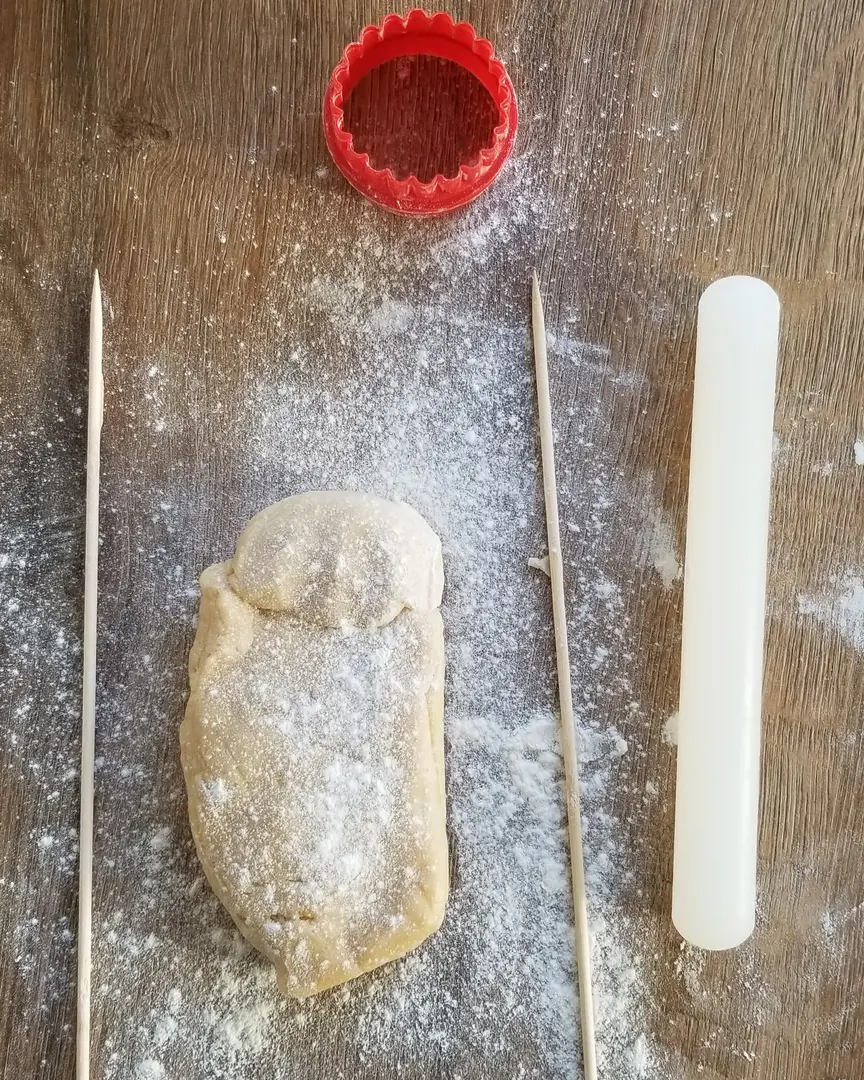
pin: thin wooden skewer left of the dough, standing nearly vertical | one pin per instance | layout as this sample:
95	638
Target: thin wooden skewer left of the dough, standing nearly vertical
89	698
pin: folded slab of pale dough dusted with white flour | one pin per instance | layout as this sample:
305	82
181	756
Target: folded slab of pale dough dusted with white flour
313	745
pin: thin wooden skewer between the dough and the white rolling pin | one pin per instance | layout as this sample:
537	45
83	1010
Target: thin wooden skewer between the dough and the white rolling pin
565	693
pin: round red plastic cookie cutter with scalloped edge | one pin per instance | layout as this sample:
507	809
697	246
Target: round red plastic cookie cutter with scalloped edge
420	34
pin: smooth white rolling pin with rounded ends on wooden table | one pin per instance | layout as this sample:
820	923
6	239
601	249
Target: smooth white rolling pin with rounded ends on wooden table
718	795
